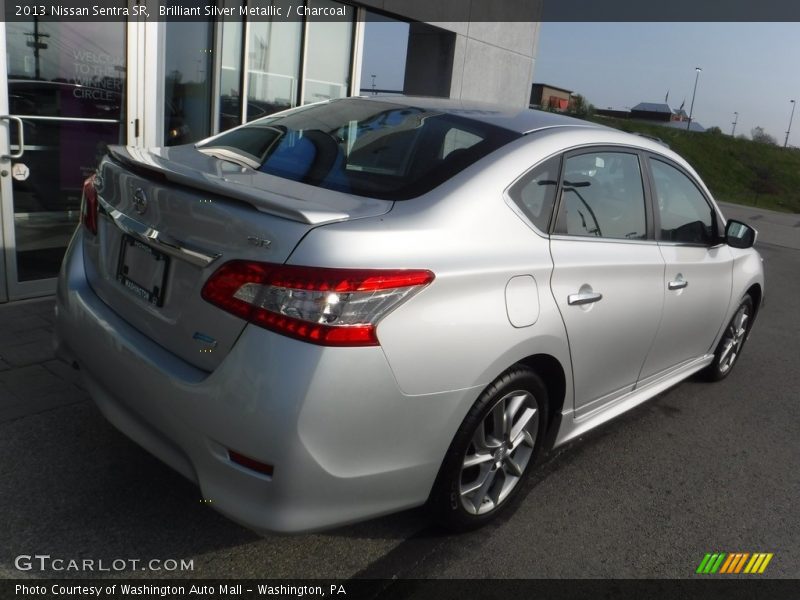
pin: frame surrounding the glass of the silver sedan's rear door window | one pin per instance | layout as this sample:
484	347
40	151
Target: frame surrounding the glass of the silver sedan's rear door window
647	191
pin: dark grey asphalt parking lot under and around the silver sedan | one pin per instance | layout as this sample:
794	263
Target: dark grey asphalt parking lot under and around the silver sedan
701	468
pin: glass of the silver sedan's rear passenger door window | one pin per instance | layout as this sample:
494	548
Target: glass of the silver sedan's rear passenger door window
603	196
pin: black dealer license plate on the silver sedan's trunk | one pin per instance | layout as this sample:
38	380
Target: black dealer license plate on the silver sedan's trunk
142	270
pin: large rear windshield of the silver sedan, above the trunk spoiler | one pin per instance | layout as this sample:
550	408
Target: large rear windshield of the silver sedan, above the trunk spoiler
363	147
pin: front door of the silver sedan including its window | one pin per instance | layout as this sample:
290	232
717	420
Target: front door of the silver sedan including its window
699	267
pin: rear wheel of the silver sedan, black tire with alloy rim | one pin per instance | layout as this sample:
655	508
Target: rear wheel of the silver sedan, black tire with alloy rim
492	452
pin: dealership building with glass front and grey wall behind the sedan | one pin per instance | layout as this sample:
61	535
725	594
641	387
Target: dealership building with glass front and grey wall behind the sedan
69	88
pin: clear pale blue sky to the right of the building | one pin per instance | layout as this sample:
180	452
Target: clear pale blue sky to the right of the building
749	68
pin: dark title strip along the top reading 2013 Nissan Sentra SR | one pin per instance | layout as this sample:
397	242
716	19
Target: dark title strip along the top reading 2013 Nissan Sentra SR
419	10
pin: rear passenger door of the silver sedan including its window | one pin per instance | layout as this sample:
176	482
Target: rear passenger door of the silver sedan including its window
607	272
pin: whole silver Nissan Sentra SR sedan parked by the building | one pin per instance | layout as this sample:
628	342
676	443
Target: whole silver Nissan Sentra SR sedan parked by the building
357	307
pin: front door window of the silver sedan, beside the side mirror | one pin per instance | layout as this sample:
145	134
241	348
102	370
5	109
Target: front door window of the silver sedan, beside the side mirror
684	214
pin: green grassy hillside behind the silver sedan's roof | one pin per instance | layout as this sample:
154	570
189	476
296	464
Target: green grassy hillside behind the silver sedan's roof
735	170
